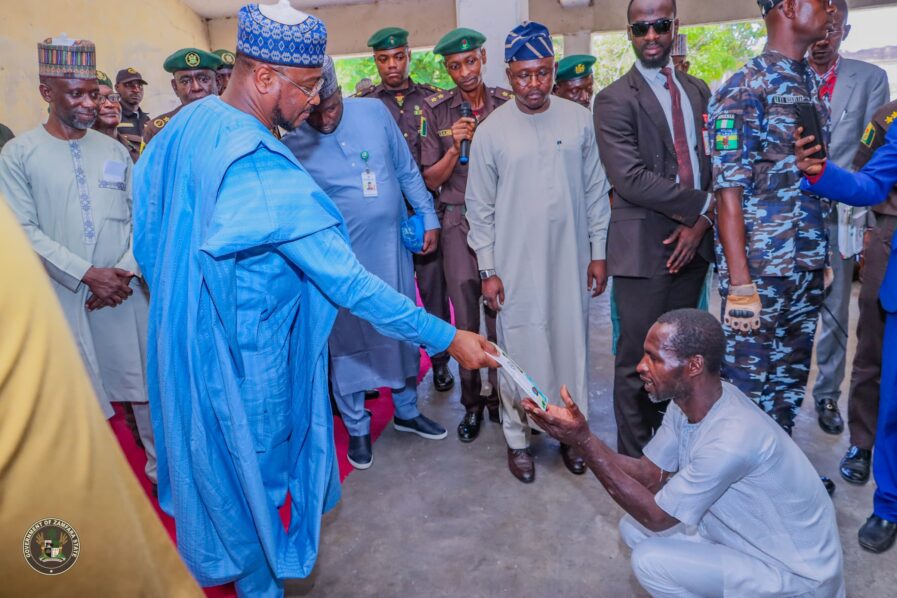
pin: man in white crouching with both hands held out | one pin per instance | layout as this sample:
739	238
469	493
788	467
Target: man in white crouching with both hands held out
722	501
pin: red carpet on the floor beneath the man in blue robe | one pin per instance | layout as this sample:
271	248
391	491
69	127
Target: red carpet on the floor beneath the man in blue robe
381	408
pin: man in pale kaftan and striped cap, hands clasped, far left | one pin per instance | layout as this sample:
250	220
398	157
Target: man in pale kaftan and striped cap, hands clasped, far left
70	189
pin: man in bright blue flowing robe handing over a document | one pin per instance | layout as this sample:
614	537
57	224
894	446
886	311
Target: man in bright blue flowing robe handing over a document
247	261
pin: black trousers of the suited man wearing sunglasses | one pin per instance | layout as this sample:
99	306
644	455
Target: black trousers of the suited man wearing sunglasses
640	301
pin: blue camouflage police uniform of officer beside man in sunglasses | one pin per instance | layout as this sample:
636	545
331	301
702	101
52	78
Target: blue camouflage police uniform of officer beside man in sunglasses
752	124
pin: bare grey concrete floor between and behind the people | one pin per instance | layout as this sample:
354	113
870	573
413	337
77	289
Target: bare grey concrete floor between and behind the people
447	519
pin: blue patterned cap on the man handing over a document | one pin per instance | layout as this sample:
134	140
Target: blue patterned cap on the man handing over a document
267	40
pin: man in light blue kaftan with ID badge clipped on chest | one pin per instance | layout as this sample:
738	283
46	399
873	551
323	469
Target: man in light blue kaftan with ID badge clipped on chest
344	145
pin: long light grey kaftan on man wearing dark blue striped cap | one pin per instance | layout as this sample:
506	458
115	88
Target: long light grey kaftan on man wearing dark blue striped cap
537	201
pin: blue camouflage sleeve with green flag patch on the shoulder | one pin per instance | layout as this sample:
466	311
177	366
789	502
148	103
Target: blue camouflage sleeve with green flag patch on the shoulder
735	134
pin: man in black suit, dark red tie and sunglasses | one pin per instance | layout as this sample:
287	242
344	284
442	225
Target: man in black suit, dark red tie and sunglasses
651	133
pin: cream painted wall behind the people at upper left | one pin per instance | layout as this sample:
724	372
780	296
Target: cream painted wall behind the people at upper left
139	34
